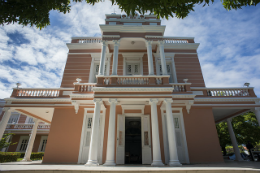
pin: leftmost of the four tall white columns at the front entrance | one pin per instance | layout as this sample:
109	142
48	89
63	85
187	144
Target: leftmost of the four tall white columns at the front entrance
93	149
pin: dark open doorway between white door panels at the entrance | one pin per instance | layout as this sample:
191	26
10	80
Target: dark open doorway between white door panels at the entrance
133	140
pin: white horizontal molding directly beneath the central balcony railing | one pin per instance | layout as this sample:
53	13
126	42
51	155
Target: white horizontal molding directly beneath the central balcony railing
130	89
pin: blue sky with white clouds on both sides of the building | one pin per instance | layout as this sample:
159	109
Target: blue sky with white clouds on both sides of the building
229	49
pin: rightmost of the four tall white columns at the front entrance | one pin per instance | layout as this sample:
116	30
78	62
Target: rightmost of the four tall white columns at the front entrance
174	160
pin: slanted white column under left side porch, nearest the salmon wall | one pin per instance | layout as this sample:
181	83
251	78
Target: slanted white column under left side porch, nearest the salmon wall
29	148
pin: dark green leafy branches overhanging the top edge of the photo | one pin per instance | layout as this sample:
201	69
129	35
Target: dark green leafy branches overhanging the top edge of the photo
36	12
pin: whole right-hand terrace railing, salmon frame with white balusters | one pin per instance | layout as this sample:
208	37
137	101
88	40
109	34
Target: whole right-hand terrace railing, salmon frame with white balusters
226	92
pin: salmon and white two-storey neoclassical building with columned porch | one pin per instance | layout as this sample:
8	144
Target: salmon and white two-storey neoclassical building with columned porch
131	96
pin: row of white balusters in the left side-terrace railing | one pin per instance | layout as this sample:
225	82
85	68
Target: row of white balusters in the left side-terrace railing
38	92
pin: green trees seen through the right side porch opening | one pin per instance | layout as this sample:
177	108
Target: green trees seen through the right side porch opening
246	128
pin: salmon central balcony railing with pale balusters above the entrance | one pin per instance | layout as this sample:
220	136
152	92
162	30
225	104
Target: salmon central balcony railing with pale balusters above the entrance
134	80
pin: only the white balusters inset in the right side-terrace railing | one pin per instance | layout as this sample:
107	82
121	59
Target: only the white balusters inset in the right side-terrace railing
227	92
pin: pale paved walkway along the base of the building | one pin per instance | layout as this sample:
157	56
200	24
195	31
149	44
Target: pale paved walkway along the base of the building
38	167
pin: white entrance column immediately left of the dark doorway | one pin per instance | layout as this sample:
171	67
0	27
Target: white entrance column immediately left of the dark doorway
110	159
